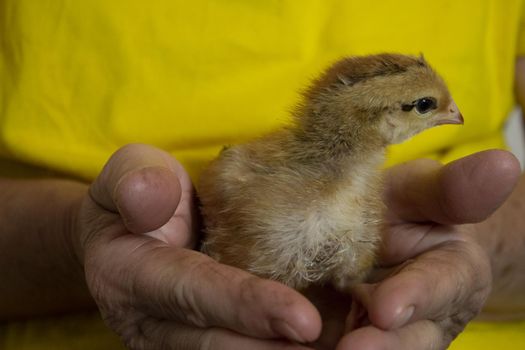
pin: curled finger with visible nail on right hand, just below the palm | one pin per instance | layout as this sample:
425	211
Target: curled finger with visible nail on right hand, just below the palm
412	294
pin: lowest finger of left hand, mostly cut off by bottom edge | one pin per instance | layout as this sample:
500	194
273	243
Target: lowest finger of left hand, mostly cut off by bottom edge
176	336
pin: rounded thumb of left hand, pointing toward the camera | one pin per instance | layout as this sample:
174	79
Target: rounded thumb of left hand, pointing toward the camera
142	184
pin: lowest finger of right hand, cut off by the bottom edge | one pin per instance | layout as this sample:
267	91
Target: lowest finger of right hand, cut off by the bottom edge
421	335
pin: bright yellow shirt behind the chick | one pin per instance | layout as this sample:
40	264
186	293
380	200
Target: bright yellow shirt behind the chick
78	79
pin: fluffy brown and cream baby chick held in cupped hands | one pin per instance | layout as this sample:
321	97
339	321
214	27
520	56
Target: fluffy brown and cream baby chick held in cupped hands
303	205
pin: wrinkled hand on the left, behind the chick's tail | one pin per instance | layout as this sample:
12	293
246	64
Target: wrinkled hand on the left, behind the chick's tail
137	228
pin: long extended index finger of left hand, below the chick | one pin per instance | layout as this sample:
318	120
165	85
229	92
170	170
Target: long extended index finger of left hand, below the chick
190	287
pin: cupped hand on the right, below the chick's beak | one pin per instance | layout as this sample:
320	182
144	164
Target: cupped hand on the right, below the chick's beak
435	274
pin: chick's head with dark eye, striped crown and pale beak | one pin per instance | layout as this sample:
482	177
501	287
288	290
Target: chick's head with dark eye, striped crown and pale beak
391	96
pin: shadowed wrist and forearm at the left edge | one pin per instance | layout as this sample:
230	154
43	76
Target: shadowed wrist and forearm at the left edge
37	248
